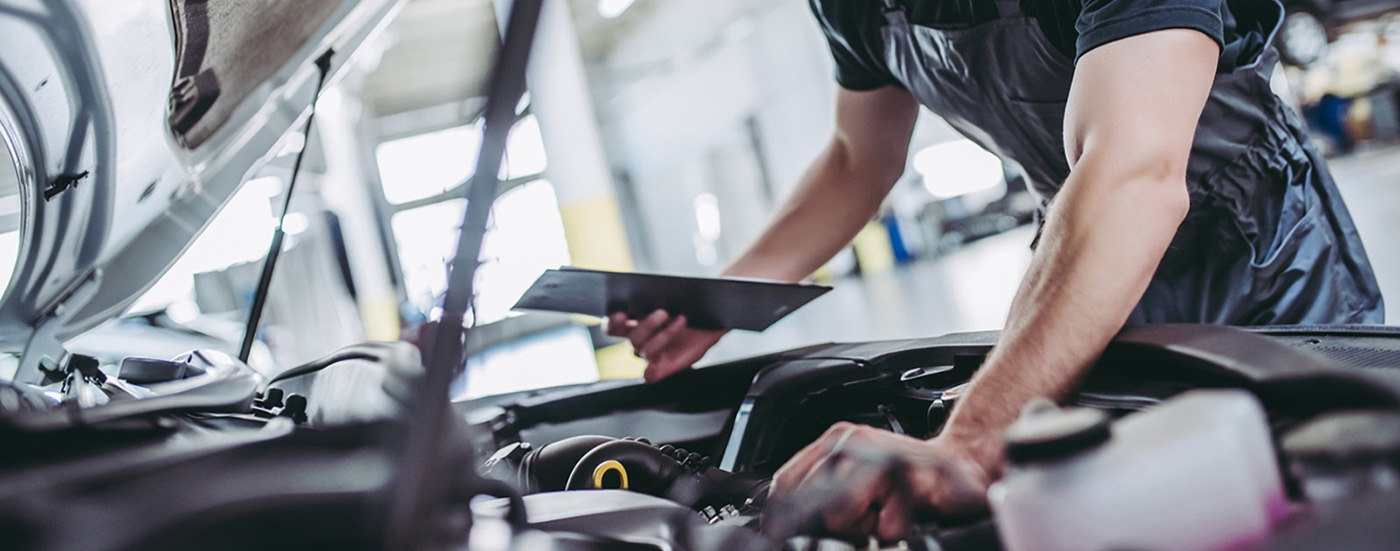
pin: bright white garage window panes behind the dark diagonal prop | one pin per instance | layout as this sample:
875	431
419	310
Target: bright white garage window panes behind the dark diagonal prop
422	178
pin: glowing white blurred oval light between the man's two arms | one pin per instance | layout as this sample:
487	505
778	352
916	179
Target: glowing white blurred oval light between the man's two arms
958	169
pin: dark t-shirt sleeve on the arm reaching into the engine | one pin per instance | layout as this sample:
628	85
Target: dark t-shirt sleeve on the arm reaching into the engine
1104	22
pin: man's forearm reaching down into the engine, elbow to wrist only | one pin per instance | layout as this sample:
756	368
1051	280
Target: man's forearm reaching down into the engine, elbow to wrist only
1102	244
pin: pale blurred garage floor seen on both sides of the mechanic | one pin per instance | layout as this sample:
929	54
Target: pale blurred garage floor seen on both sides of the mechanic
972	289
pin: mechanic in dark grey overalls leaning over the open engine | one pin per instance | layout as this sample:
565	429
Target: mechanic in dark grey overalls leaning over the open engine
1184	191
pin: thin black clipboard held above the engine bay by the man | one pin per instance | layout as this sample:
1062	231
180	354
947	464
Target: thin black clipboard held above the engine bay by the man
706	303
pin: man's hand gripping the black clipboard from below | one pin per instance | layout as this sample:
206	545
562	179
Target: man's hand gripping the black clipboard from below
666	343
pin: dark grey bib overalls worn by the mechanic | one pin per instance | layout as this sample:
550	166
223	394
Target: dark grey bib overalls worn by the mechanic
1268	240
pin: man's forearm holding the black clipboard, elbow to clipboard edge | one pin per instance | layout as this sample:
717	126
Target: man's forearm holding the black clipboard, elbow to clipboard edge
838	196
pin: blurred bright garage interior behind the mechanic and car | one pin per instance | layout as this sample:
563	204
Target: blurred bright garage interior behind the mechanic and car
677	129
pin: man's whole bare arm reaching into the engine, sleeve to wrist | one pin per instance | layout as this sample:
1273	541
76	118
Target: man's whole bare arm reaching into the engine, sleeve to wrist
1132	117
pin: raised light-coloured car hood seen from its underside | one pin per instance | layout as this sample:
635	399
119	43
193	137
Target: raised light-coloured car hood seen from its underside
93	121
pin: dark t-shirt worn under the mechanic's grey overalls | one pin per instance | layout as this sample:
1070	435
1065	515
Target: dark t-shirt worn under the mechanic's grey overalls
1076	27
